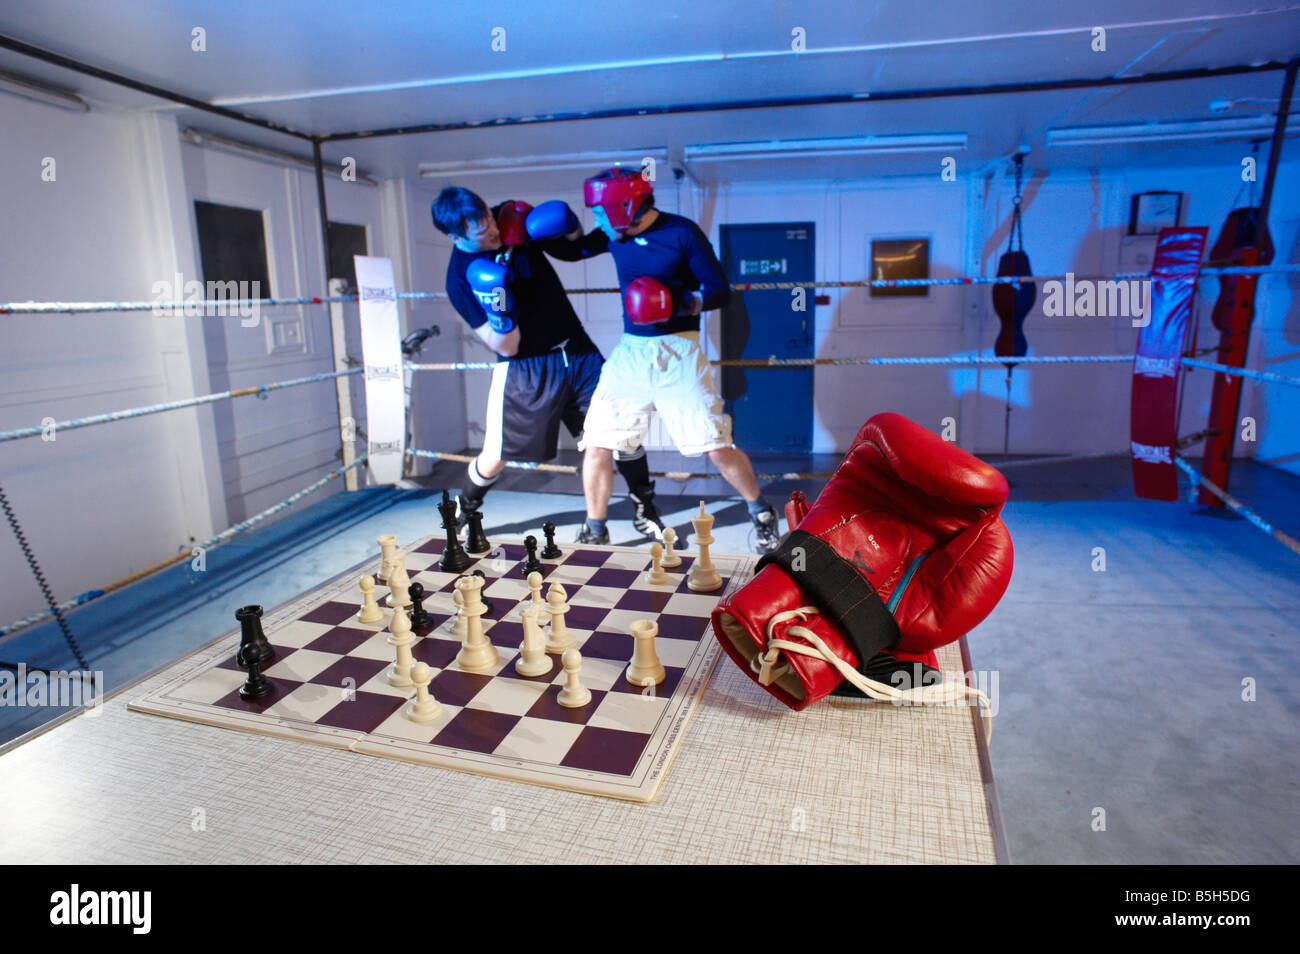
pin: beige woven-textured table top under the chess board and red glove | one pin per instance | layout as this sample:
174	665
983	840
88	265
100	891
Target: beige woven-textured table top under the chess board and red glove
843	782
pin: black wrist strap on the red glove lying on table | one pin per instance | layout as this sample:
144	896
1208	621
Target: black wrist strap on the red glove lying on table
839	591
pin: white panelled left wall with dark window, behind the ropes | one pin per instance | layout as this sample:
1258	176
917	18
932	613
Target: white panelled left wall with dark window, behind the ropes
103	502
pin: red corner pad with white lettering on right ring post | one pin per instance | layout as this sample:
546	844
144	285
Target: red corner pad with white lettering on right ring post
1154	419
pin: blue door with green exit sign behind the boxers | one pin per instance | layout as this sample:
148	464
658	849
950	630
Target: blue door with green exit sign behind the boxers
772	410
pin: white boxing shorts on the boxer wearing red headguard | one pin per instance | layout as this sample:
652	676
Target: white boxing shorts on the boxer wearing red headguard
668	374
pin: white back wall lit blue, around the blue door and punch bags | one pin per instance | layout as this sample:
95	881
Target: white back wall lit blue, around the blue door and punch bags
1072	224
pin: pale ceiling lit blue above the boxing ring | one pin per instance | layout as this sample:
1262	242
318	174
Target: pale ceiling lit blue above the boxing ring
328	68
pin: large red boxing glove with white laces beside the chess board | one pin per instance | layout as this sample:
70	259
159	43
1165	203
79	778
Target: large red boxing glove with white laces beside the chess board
904	552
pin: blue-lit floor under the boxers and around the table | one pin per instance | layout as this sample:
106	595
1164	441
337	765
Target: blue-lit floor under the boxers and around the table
1120	688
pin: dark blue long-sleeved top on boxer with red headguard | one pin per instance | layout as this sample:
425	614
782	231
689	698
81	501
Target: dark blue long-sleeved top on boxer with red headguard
674	250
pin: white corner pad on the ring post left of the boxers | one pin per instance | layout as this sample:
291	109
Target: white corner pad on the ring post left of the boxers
382	350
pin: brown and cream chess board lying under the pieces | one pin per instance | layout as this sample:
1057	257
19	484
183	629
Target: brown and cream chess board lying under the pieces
331	674
